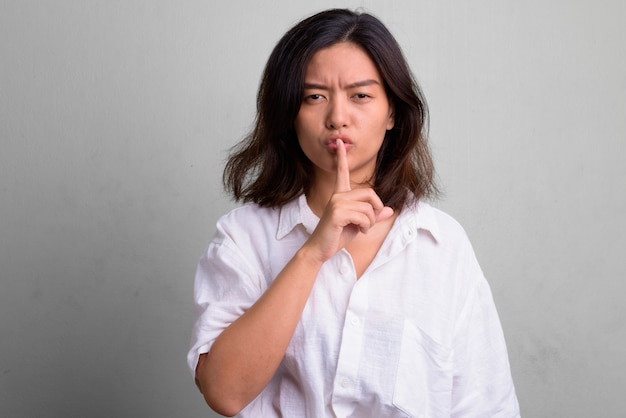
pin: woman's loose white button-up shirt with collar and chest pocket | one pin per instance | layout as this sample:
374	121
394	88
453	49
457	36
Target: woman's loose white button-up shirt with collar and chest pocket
417	335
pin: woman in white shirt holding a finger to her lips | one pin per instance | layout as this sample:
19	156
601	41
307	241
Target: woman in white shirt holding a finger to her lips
336	291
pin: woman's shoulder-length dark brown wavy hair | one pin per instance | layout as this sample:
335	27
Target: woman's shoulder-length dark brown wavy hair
269	168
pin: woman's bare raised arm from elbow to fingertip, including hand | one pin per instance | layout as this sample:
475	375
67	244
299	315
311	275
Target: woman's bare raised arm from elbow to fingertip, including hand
245	356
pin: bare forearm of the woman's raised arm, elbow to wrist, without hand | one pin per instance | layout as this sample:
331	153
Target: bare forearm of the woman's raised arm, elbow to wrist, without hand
246	355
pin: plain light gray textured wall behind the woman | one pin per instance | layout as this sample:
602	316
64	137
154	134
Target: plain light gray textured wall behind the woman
114	121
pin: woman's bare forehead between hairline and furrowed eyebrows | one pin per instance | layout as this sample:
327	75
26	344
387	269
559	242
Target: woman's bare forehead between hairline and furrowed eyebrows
344	60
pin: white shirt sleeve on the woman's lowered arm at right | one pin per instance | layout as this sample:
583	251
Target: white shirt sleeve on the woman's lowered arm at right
482	383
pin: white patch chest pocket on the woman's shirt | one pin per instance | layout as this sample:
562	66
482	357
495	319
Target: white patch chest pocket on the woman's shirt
423	382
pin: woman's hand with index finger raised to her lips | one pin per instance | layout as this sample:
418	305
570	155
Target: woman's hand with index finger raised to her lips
348	213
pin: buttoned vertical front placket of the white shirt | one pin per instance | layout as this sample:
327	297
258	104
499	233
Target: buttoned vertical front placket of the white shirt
346	384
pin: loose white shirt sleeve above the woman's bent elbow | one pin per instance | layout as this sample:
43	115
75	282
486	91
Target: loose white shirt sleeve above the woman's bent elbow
225	286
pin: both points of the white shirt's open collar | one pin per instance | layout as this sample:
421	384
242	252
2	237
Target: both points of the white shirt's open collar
420	216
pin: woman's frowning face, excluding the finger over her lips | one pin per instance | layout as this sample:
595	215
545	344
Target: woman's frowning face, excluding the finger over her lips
344	97
